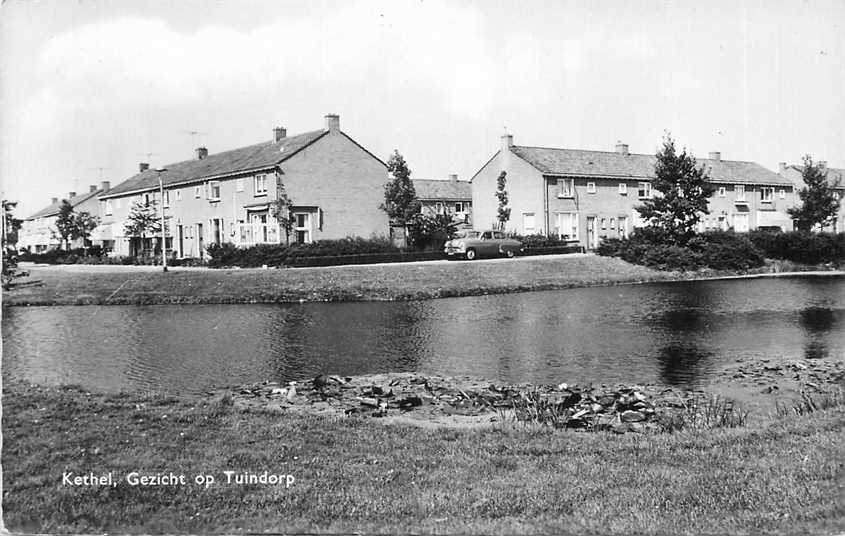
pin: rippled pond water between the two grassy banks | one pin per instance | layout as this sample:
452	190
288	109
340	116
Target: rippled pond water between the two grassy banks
673	333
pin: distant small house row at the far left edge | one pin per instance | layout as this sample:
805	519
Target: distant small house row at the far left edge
38	232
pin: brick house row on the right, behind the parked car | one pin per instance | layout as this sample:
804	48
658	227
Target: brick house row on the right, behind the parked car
588	195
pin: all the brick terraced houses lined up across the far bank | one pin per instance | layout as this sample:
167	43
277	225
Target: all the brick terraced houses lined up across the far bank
336	186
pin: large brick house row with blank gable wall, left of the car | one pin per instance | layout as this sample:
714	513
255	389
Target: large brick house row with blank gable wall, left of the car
334	184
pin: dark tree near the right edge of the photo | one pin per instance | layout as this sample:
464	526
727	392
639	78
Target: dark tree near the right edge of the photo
819	200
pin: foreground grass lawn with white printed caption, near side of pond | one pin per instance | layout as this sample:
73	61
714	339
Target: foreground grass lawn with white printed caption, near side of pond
782	477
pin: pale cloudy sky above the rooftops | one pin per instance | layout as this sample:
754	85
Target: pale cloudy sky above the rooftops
90	88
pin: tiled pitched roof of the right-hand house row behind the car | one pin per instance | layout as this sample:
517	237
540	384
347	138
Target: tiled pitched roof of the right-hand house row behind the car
576	162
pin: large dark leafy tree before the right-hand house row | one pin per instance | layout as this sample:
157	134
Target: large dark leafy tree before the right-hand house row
684	194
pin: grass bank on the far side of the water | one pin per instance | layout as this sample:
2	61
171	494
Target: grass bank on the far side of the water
78	284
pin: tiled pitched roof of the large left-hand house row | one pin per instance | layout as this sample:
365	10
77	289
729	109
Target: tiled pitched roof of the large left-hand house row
253	157
